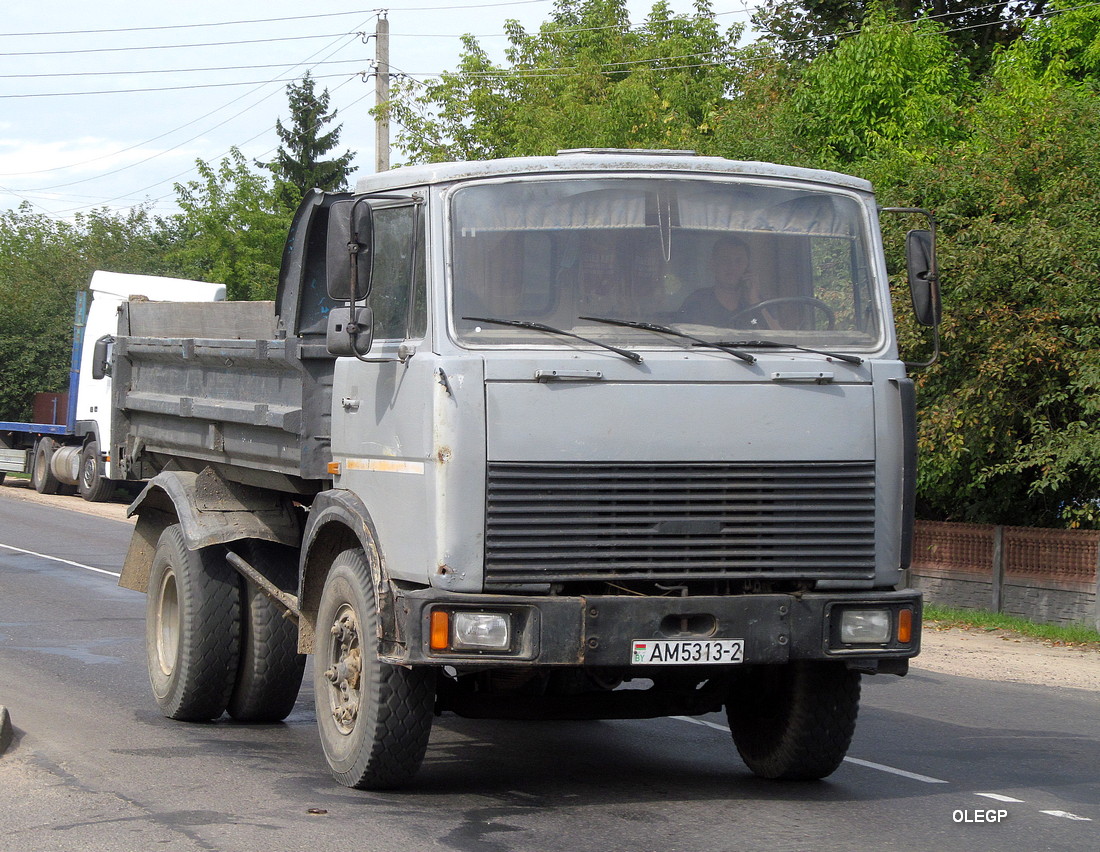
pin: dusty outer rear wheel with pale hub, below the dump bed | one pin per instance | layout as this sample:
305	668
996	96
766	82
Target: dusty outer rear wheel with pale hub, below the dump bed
192	629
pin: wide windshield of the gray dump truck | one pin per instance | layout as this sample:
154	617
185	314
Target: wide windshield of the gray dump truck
721	261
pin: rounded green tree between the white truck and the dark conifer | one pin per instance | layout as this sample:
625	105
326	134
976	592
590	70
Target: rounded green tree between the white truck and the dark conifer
233	229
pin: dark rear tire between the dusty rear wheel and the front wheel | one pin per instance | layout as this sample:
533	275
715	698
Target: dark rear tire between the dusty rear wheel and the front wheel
270	674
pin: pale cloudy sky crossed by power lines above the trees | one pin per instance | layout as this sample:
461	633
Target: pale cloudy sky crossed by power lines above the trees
109	105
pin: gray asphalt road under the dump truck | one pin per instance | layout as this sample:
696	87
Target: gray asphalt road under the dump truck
939	762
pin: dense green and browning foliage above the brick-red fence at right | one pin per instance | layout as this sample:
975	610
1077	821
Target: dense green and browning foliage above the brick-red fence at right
1008	418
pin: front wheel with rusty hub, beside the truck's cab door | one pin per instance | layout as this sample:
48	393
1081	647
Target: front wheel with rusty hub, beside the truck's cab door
375	720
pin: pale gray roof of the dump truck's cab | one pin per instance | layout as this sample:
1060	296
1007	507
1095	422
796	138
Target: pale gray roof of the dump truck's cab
601	160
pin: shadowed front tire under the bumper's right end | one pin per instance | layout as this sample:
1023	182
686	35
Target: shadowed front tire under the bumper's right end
796	722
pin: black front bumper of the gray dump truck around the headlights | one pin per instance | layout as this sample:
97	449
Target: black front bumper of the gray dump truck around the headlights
599	630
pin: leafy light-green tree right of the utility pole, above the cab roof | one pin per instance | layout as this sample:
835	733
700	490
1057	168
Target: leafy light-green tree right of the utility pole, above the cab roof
585	80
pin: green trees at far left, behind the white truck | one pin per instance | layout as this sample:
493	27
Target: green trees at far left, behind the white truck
43	264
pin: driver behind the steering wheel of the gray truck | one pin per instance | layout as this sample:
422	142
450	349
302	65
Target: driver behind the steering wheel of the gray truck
731	301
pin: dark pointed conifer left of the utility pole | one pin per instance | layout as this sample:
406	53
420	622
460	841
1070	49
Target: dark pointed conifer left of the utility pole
300	164
